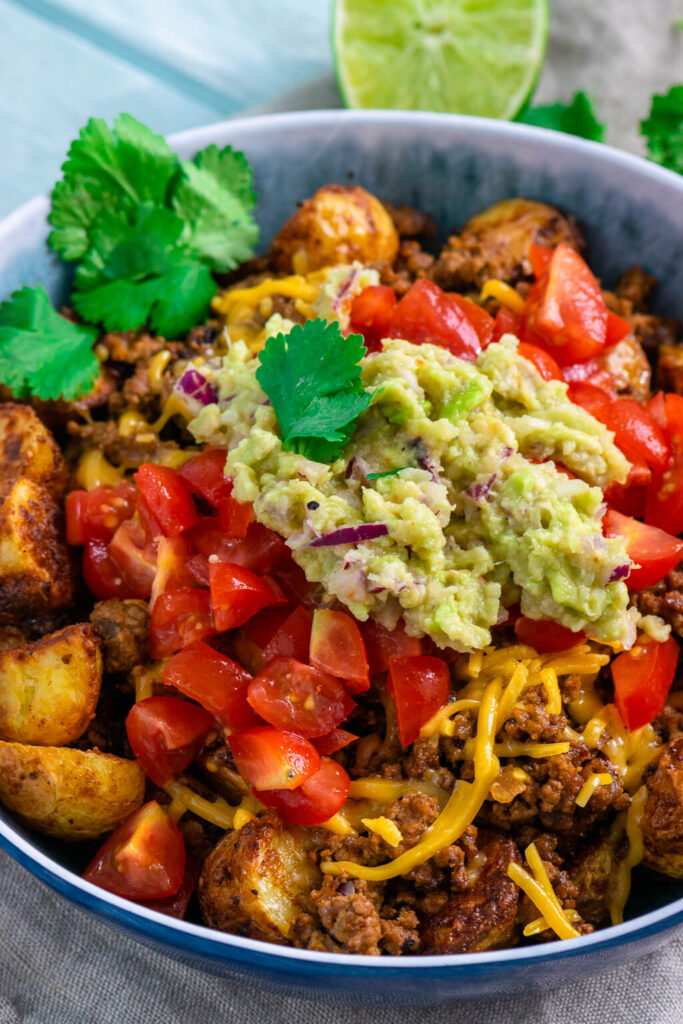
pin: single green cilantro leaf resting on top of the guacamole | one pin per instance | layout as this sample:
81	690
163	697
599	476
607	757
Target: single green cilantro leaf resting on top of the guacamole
313	379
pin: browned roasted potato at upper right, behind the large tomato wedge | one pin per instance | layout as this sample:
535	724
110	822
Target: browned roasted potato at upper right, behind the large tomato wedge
496	244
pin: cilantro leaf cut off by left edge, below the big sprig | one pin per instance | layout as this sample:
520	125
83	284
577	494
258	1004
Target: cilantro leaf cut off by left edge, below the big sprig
41	353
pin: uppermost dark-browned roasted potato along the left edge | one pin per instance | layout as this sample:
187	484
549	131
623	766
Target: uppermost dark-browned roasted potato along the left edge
28	449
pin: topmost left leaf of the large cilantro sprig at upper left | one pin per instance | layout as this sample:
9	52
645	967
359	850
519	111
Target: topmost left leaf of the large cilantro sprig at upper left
107	172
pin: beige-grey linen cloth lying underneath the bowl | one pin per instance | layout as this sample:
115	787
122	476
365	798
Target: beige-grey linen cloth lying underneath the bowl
59	966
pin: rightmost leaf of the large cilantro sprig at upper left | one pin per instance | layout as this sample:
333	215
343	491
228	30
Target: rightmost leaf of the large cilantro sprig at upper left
216	198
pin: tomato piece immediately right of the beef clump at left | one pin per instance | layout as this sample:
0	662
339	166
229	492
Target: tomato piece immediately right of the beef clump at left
179	618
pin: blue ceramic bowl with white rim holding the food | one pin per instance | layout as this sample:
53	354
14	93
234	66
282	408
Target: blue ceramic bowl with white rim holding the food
452	167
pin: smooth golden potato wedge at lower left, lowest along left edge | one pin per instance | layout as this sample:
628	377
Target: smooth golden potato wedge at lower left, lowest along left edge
69	794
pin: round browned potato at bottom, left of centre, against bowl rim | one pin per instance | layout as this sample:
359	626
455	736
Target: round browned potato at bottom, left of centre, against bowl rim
258	881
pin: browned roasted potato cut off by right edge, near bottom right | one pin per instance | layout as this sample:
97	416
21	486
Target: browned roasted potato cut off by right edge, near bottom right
663	816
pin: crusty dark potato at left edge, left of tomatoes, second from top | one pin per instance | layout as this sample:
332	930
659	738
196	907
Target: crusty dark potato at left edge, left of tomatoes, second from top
36	573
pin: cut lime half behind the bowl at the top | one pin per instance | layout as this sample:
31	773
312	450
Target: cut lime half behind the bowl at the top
459	57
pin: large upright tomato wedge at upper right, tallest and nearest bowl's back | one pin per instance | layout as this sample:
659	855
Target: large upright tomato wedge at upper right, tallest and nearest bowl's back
567	310
